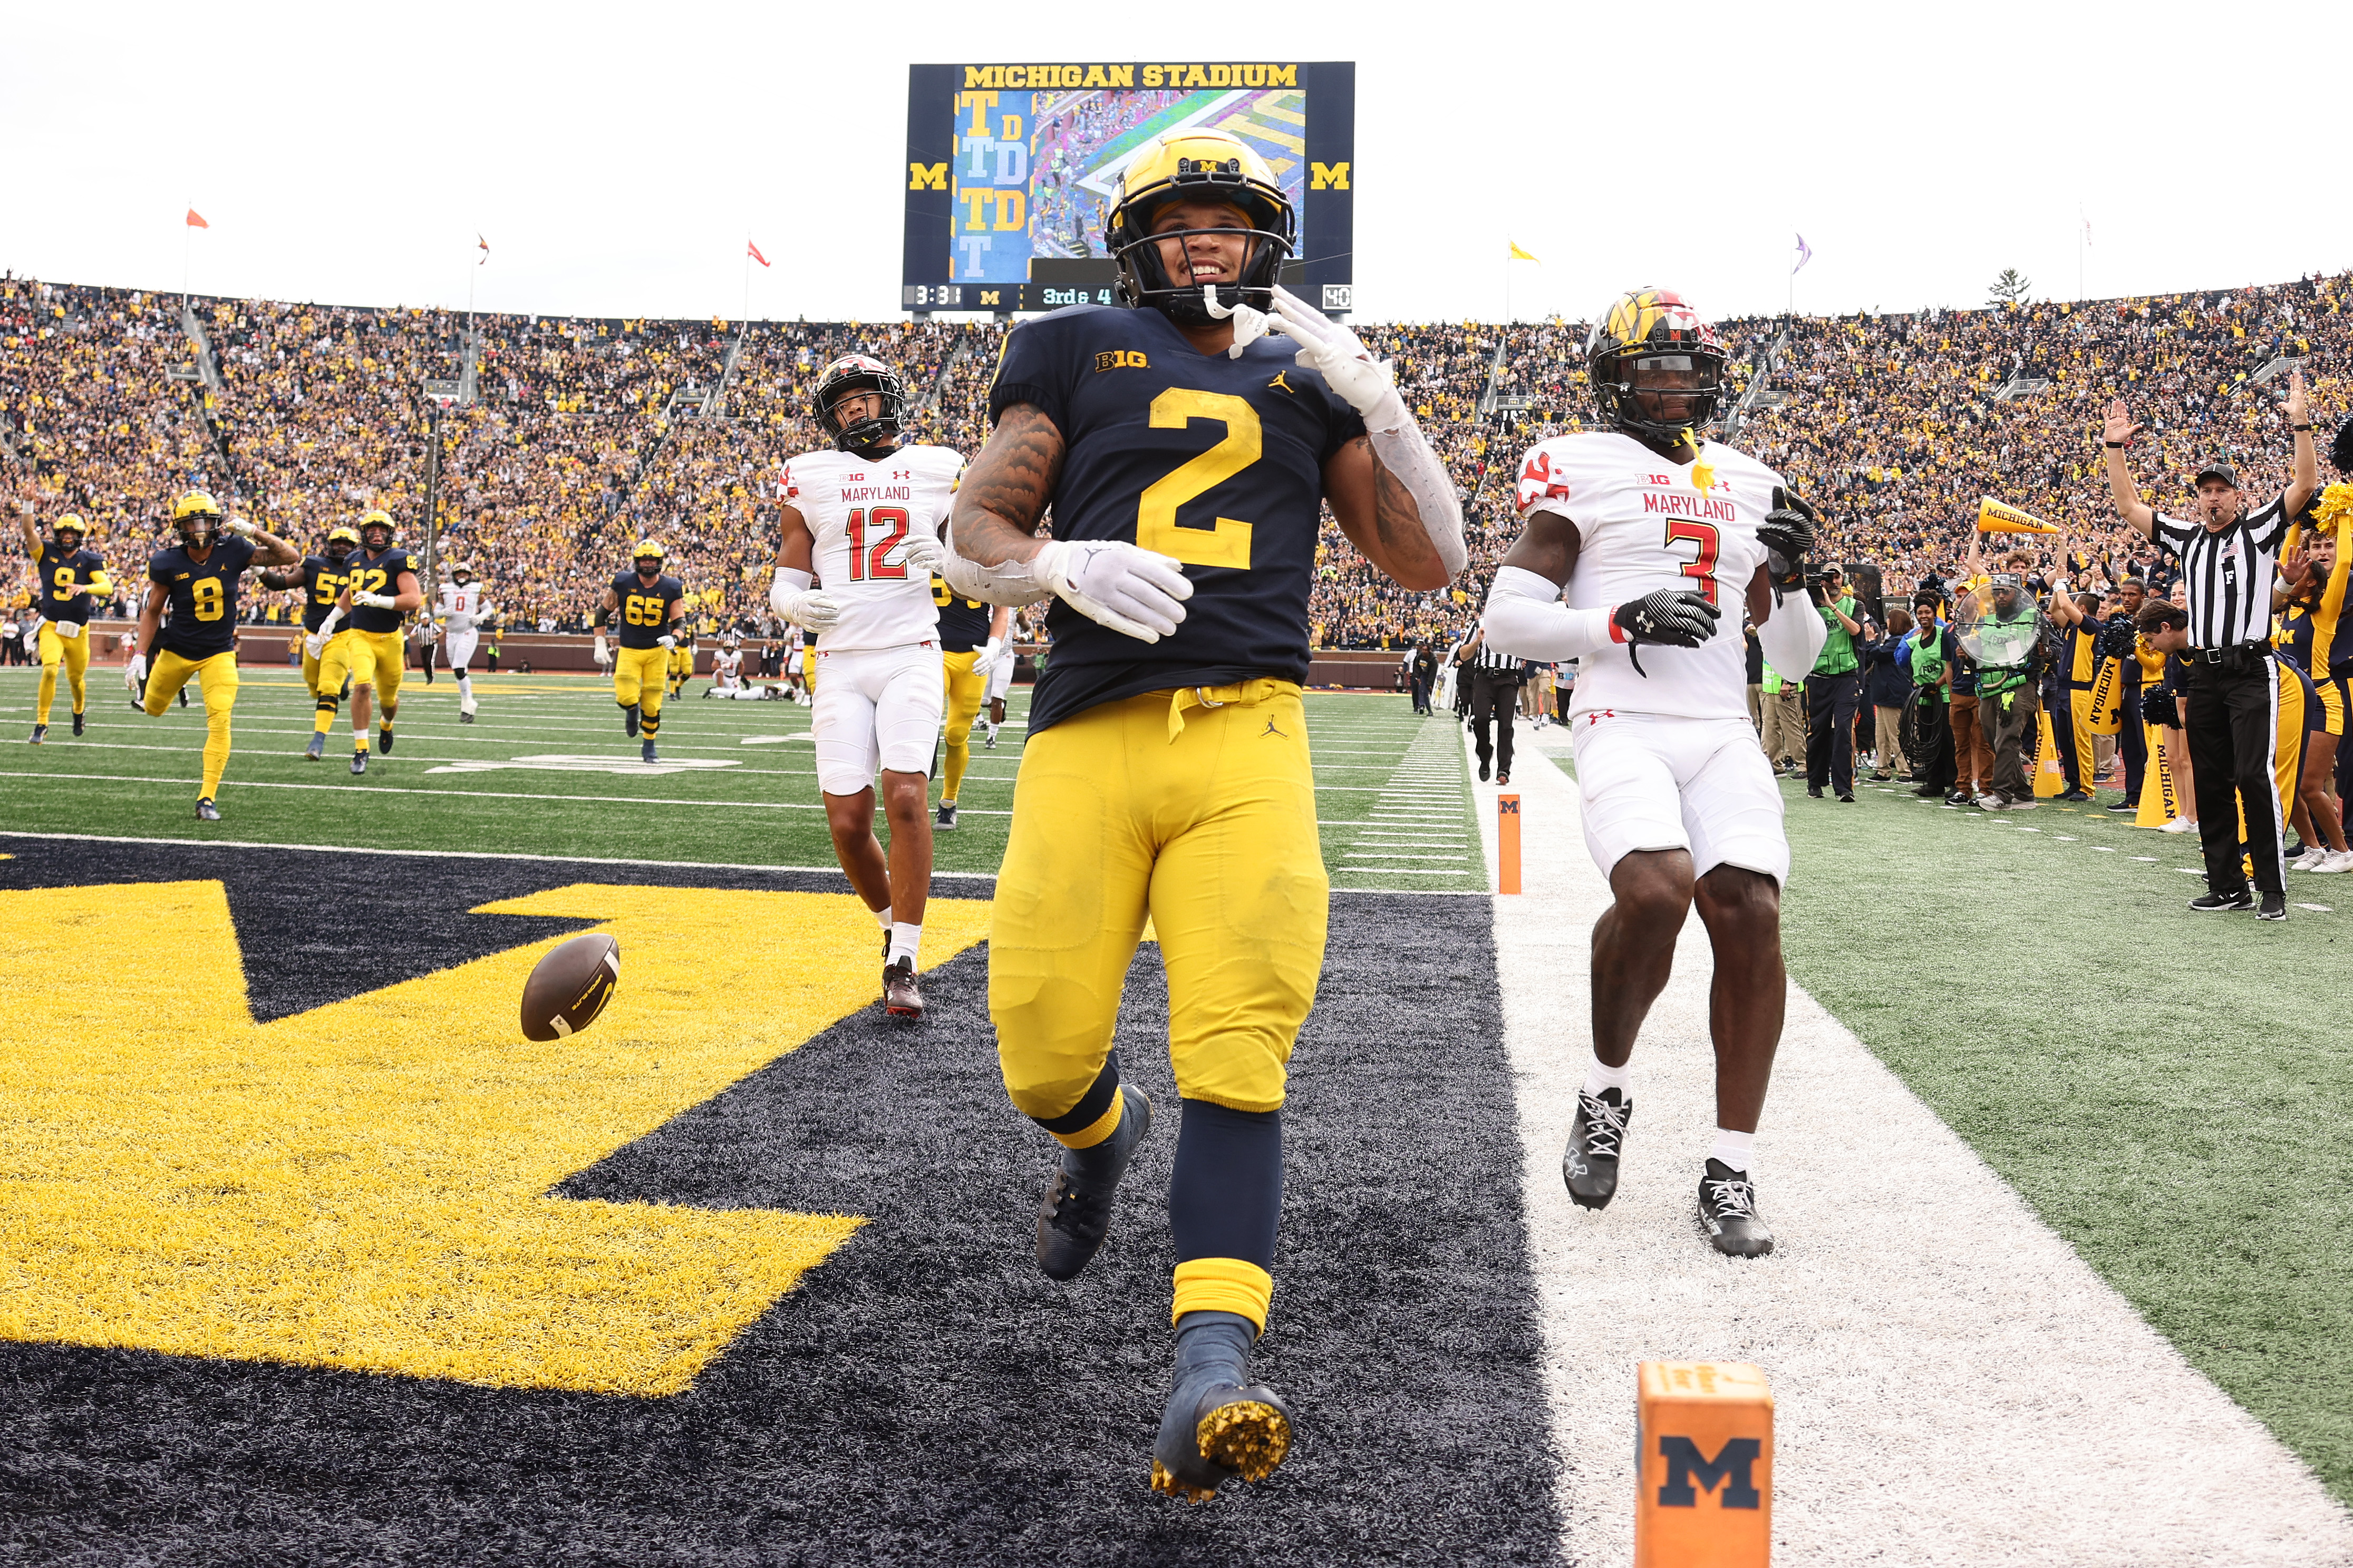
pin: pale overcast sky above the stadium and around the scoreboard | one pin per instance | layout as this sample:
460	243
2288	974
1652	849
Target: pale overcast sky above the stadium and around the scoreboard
618	159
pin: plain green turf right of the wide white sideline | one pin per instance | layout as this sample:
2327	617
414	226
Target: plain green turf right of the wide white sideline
2168	1090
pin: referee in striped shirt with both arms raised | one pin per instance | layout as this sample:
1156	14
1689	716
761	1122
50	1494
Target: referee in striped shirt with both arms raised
2229	556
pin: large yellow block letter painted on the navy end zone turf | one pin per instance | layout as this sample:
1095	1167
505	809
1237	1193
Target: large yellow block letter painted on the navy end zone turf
366	1186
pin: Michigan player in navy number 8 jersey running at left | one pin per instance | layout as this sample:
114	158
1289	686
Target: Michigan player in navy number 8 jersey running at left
199	577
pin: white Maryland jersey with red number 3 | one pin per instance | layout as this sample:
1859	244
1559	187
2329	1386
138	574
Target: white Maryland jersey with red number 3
1644	525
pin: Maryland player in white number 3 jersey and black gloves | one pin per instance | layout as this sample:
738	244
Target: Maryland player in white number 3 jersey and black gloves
1639	540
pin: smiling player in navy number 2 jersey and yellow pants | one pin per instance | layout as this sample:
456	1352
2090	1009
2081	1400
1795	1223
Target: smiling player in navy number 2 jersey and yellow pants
1187	460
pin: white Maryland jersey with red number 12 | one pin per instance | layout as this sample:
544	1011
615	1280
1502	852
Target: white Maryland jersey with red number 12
862	514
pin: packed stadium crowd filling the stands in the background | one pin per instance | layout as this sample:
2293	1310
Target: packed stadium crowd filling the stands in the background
587	434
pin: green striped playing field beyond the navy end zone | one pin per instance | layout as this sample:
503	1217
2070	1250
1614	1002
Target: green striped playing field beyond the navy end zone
738	782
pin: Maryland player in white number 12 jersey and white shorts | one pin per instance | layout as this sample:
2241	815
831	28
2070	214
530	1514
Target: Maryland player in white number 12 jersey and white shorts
865	521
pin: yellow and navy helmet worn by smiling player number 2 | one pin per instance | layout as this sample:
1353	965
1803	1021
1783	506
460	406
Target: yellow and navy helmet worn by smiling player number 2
1199	166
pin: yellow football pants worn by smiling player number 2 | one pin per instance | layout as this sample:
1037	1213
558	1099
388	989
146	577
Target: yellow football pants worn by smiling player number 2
1211	831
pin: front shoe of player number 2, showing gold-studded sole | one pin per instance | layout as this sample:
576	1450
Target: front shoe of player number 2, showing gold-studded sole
1218	1423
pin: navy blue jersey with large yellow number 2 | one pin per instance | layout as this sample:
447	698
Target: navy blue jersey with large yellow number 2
1204	457
